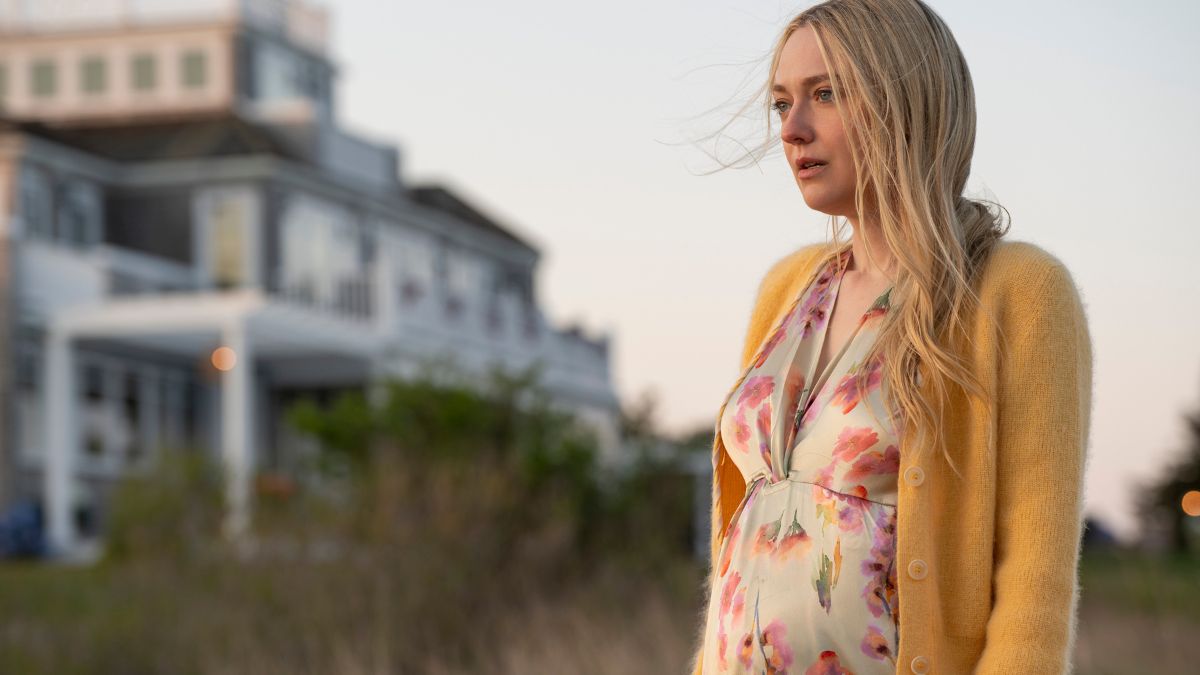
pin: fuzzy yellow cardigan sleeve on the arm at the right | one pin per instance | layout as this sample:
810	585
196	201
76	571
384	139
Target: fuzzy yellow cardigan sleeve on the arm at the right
1045	414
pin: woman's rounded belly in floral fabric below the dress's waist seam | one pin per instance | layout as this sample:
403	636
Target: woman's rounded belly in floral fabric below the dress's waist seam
807	577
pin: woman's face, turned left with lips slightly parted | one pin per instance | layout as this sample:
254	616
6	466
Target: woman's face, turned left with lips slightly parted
811	127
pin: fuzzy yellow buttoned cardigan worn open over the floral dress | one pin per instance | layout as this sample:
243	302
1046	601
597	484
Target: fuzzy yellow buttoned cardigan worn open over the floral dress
987	566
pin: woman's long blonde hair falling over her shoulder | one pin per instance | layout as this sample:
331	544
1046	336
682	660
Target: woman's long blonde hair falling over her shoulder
908	104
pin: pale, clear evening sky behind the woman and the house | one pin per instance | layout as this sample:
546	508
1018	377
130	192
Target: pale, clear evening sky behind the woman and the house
577	126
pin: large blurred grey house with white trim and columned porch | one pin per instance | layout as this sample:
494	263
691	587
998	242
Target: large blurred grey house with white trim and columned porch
190	242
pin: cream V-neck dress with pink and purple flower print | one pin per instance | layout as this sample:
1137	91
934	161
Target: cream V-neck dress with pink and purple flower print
806	580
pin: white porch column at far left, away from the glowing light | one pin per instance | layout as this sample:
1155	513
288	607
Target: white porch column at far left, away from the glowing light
62	440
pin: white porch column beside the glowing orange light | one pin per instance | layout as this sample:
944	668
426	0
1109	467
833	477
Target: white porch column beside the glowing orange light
238	429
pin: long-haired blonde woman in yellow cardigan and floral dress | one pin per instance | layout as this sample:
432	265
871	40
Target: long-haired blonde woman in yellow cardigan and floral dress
898	474
